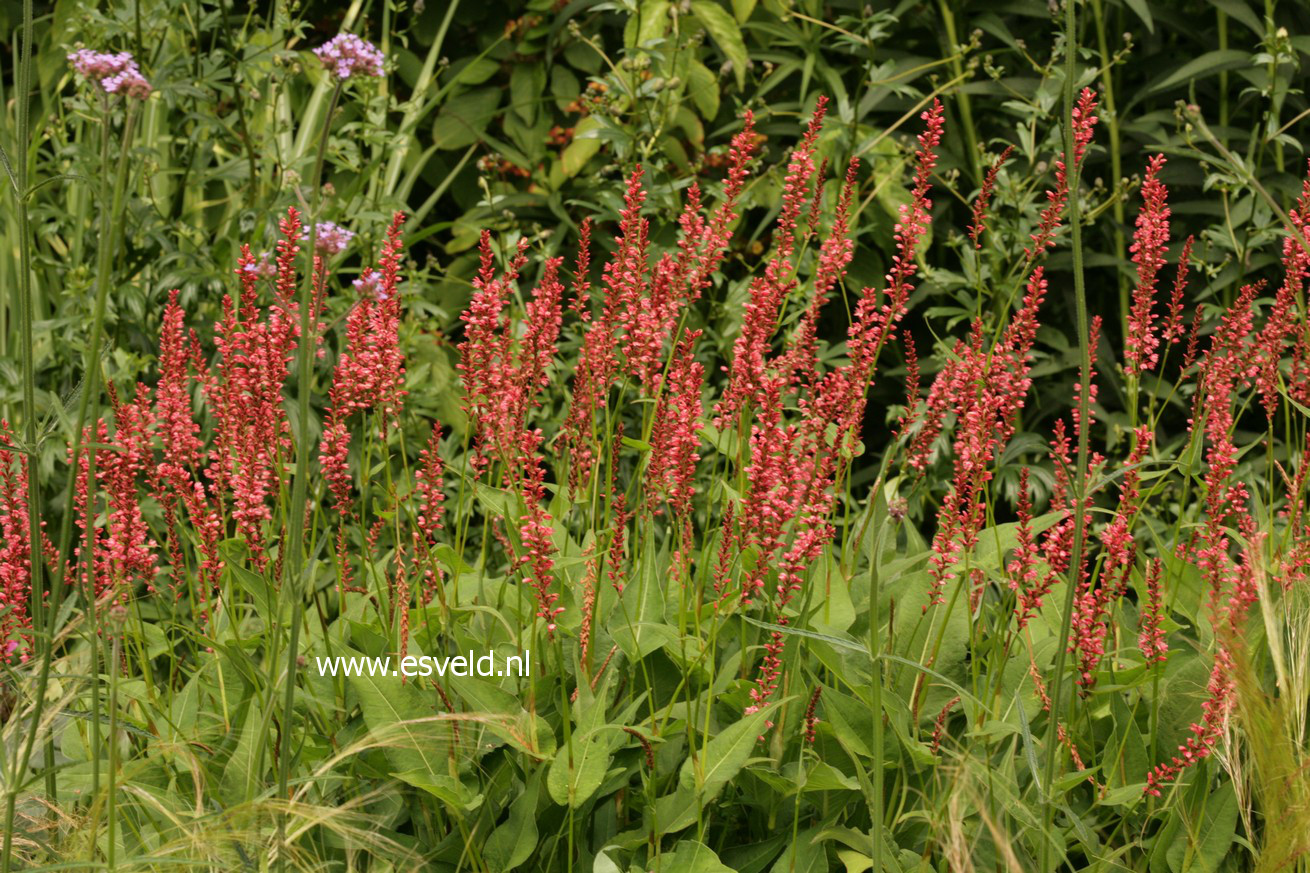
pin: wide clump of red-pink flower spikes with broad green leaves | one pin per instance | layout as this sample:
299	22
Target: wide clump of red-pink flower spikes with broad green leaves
700	512
